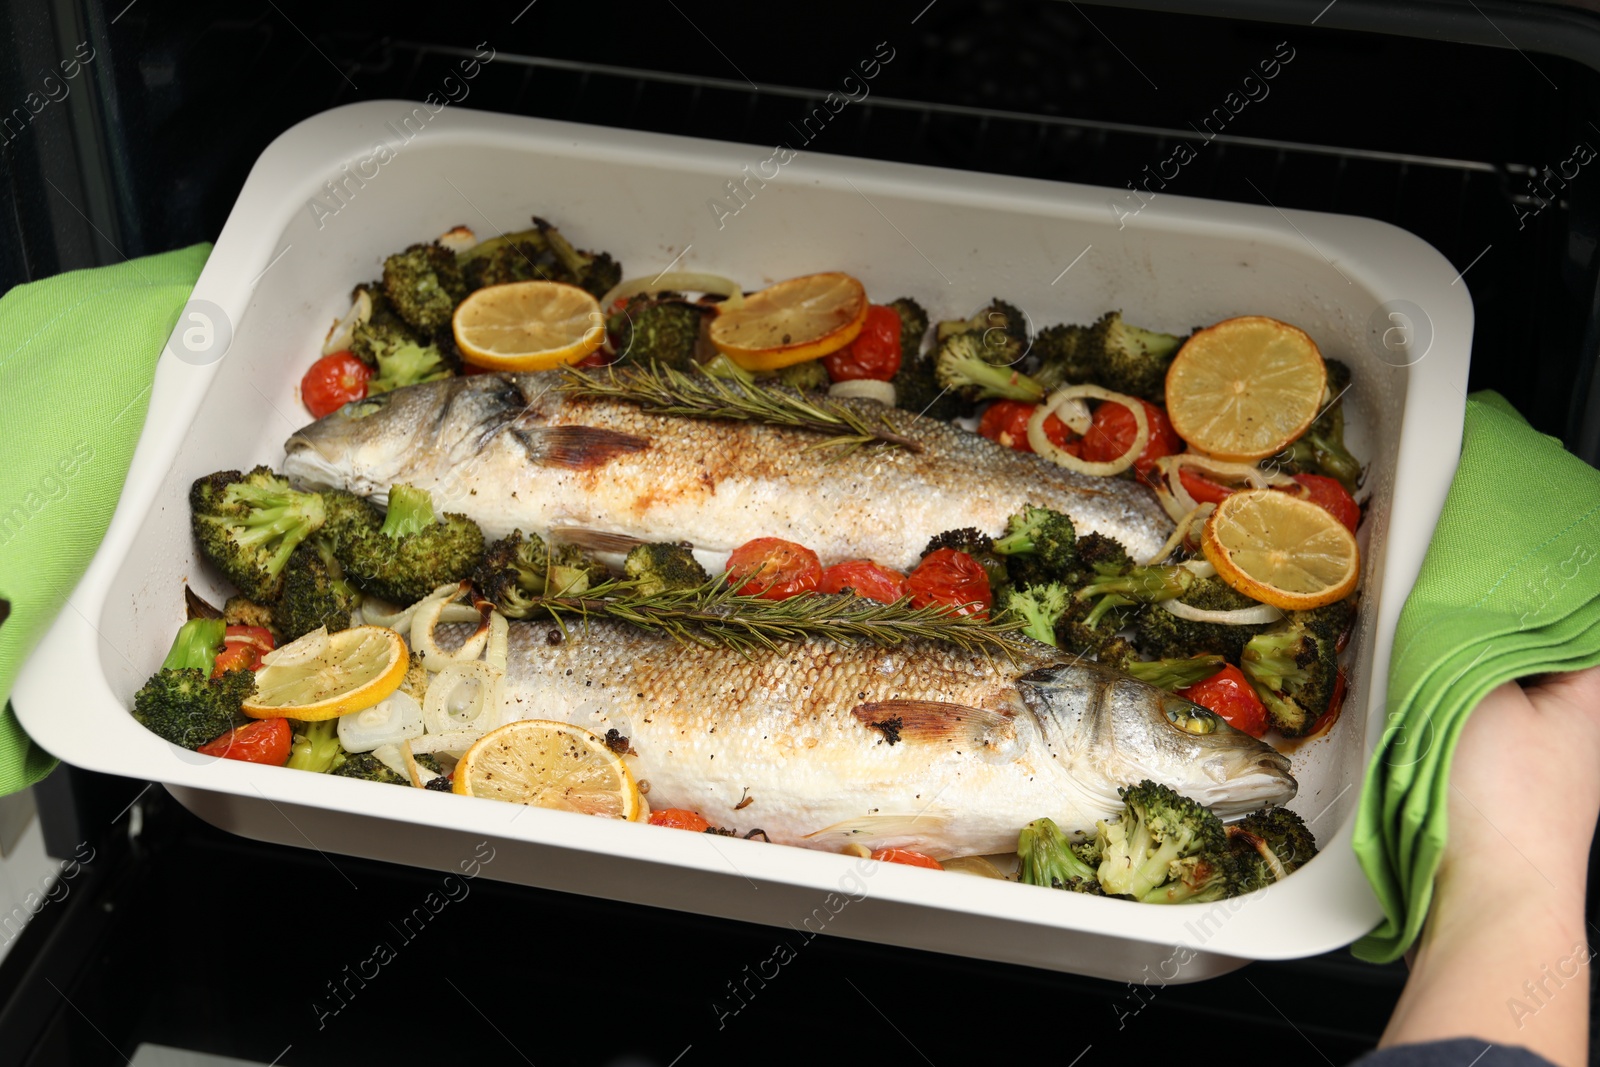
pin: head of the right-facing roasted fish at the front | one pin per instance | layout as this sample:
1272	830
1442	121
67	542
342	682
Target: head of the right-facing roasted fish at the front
1129	732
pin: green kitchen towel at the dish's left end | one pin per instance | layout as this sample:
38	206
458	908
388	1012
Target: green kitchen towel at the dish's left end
78	359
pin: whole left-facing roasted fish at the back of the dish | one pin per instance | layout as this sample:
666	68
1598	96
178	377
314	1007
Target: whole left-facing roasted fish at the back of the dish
511	452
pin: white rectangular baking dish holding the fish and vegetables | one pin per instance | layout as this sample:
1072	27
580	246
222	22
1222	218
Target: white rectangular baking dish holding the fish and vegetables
284	268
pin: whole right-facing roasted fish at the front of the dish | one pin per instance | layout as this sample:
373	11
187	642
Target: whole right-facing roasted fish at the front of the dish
922	746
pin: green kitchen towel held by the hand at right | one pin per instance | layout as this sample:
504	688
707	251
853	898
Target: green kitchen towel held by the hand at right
1510	589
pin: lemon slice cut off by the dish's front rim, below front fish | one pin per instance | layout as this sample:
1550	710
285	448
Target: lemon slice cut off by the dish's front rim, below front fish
551	765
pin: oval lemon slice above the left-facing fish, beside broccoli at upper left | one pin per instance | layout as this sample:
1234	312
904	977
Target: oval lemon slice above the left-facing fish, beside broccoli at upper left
527	326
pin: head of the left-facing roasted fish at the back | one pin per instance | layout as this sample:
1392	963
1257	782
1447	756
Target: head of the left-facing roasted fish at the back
372	444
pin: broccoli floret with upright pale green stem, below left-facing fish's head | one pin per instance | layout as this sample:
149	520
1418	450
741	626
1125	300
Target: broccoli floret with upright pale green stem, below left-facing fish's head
414	553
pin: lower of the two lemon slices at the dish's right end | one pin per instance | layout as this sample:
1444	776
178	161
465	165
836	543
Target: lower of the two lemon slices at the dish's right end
1281	549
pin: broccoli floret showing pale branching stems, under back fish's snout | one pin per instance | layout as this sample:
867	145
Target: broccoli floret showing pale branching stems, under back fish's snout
250	524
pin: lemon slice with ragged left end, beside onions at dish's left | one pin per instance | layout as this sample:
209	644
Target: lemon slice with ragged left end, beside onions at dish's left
326	676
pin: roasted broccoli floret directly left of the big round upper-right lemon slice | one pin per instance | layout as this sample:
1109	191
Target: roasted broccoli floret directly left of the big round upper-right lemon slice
1111	354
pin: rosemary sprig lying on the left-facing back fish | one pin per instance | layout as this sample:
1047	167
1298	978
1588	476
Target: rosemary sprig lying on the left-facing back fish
705	398
